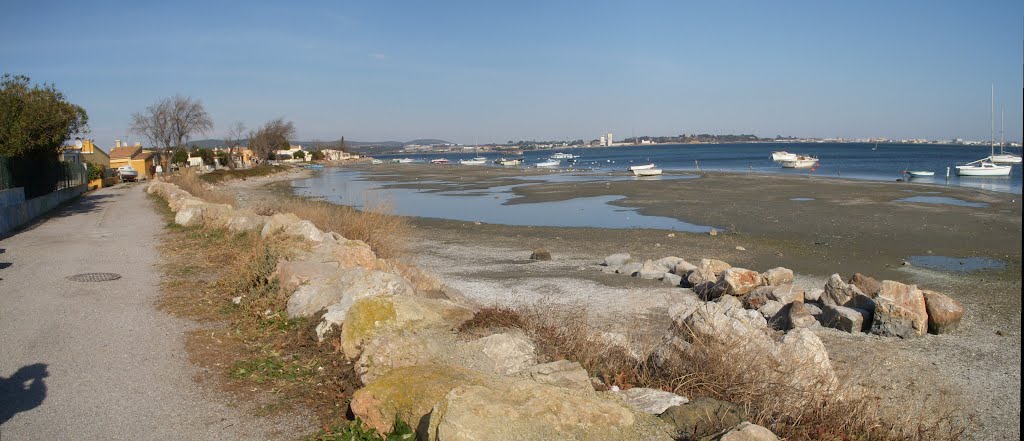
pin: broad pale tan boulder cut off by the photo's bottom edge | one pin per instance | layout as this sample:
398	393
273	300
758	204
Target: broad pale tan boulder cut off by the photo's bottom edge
525	410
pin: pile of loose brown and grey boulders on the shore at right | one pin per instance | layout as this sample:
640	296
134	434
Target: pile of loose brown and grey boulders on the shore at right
860	305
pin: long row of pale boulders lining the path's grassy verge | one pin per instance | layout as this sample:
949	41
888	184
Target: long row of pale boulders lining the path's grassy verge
396	325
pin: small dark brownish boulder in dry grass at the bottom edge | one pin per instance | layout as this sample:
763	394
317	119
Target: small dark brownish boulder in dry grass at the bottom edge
703	417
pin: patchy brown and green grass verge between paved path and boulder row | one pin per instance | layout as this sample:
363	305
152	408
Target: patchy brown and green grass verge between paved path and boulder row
262	355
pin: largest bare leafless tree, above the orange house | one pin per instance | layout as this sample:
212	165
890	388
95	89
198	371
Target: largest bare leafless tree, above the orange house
172	122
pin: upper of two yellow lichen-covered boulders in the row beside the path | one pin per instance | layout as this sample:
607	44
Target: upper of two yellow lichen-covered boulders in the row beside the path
372	317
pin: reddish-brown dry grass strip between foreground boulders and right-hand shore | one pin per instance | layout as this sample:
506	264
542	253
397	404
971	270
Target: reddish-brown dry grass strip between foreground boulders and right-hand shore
727	373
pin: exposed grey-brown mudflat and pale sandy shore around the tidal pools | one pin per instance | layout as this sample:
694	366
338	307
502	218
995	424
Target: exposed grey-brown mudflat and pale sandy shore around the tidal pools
850	226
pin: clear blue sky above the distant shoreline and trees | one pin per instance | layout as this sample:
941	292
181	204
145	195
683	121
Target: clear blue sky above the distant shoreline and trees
493	72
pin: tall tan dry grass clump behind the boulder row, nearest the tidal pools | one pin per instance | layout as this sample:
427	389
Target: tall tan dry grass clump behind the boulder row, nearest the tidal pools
386	234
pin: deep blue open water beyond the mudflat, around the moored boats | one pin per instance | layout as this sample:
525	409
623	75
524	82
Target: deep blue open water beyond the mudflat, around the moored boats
857	161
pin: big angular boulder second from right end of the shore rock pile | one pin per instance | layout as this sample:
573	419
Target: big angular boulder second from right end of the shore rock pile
900	312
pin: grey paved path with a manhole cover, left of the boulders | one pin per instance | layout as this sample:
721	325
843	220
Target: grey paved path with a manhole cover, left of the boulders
97	361
